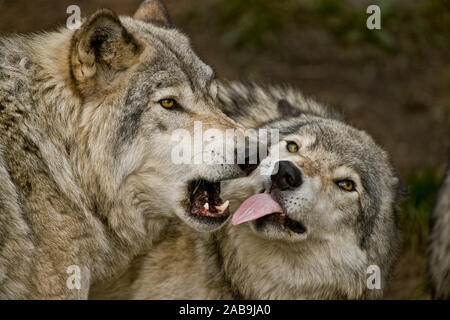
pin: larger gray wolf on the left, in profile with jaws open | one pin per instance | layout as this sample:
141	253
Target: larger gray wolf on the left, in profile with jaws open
86	177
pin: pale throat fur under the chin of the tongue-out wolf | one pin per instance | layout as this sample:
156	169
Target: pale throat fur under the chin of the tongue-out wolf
256	268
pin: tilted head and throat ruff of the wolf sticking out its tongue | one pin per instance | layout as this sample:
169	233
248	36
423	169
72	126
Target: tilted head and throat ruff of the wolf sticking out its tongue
323	217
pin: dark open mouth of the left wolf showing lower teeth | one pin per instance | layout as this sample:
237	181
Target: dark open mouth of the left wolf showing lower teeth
205	200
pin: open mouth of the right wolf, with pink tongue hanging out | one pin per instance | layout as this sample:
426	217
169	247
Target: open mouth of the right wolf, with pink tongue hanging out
262	208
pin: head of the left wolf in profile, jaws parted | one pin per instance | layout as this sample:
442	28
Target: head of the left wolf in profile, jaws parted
139	82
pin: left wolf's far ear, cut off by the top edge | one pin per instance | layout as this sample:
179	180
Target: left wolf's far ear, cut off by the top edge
153	11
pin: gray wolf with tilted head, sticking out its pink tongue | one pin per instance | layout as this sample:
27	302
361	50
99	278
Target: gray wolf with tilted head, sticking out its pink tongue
312	230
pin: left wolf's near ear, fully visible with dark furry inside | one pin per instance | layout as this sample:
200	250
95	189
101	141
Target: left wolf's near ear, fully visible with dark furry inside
101	48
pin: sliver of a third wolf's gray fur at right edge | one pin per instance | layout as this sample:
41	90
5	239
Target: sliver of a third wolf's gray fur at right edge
439	246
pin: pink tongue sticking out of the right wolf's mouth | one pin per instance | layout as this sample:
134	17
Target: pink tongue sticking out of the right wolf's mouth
255	207
